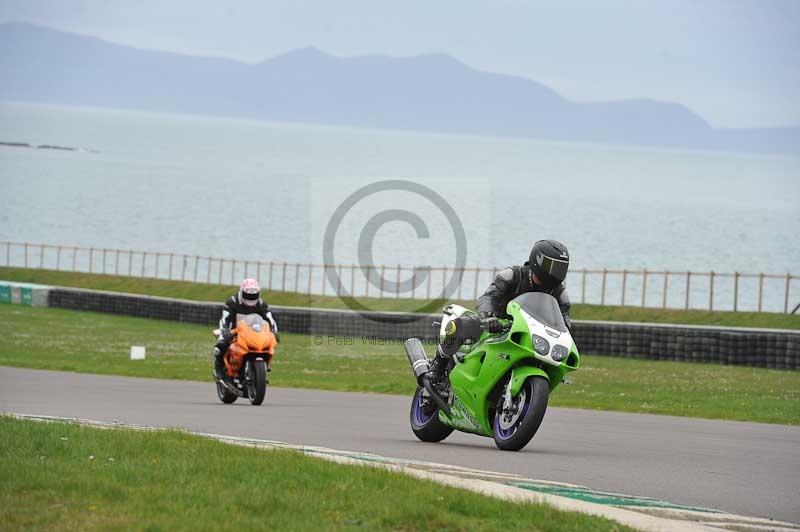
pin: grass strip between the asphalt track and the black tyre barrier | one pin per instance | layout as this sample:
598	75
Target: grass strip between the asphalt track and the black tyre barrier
87	342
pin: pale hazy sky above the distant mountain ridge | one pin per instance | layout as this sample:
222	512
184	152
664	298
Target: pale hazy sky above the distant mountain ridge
735	62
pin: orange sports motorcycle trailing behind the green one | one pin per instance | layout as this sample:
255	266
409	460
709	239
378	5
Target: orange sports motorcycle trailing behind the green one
247	360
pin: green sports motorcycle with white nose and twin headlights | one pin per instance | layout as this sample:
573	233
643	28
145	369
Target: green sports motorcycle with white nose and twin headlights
497	384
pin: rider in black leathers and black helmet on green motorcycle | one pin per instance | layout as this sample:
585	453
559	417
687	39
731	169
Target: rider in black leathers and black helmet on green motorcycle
544	271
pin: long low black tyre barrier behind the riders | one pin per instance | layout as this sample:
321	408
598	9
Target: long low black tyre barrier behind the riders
778	349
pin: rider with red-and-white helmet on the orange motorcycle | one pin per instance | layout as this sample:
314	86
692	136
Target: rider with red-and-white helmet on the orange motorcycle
246	301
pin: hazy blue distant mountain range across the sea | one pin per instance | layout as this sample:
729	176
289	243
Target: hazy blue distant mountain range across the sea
432	92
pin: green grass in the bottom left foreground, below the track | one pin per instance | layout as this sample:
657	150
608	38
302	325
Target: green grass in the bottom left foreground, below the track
58	476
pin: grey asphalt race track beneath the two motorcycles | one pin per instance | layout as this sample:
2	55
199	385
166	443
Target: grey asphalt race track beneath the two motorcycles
745	468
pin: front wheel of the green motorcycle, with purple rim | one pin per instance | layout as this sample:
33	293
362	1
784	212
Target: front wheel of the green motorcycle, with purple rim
516	425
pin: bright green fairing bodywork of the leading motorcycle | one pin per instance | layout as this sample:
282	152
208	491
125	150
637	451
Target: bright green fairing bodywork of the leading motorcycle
490	361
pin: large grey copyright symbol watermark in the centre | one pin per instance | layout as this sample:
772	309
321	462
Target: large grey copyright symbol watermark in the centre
365	245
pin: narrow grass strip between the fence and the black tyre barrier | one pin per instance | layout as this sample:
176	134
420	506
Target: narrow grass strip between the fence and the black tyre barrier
208	292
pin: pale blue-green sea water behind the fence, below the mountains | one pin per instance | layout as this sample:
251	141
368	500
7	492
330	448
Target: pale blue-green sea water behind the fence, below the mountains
267	191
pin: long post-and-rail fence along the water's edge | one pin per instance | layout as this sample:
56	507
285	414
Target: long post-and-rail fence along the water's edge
760	292
